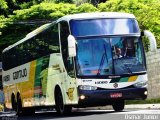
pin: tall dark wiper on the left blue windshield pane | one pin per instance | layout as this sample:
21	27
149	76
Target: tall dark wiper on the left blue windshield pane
102	60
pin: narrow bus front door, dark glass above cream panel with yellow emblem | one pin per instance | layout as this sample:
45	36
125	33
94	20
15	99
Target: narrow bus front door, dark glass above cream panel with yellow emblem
69	76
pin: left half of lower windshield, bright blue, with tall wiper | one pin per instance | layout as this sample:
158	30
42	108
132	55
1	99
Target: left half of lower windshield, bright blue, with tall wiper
94	57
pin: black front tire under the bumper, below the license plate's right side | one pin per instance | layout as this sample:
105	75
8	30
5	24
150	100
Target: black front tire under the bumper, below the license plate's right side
118	105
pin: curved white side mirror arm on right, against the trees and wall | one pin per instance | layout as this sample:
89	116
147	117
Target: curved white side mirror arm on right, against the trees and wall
152	40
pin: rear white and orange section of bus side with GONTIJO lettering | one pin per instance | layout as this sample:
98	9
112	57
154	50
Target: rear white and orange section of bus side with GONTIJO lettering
17	80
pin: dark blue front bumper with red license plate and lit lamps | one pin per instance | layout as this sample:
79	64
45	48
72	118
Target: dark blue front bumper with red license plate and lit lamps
107	97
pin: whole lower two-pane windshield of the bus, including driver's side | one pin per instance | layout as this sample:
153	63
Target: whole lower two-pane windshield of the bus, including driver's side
109	56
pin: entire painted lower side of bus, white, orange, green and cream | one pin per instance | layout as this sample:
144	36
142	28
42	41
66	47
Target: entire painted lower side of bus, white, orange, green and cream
38	86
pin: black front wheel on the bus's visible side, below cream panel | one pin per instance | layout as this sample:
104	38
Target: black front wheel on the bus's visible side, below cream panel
60	107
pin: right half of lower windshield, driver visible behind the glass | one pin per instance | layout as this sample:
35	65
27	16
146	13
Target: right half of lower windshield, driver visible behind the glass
128	57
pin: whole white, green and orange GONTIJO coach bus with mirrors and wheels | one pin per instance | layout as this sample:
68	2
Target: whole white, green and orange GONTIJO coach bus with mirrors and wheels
81	60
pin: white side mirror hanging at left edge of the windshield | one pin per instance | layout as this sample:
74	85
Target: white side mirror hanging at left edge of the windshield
71	46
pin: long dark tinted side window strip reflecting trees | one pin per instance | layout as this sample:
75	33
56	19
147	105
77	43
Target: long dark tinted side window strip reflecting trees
45	43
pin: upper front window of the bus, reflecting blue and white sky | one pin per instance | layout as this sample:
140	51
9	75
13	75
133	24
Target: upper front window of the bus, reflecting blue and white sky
103	27
